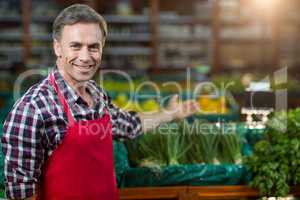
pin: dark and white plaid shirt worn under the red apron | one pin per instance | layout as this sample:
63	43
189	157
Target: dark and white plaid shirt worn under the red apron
37	124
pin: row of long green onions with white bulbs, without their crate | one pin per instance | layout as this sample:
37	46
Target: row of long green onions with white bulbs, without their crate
184	143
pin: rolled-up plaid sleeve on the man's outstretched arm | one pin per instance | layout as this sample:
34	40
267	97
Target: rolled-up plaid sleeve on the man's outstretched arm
124	124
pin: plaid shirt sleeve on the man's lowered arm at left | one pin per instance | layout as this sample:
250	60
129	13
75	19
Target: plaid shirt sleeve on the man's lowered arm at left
22	150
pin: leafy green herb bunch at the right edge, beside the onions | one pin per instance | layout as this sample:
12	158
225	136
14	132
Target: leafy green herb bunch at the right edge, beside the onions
275	163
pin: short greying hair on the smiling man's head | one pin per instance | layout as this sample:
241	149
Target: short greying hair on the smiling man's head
74	14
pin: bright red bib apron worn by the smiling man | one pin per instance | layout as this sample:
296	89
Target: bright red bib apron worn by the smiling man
82	166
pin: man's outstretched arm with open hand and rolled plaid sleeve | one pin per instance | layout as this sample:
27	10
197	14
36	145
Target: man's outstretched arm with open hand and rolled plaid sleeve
131	124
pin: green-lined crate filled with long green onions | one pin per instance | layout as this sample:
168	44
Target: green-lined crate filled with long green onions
182	153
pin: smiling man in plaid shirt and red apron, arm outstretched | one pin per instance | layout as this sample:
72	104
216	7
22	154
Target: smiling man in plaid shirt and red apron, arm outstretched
57	139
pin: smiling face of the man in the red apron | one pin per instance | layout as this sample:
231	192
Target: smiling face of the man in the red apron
79	51
